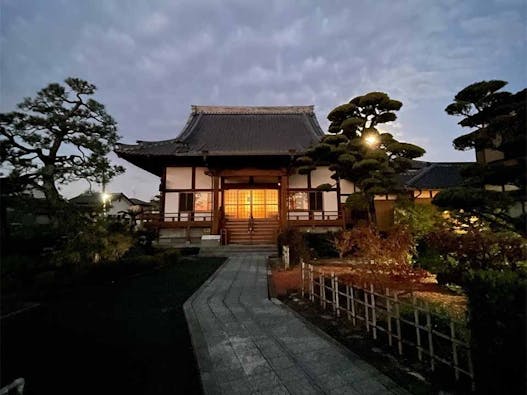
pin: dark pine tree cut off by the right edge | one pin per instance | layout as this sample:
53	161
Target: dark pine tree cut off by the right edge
495	189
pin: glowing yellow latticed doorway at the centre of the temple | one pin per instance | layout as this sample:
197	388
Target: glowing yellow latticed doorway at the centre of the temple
242	203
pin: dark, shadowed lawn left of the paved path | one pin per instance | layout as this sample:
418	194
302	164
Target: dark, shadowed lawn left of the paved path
129	337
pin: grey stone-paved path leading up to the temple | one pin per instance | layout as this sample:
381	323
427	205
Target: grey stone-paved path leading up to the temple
246	343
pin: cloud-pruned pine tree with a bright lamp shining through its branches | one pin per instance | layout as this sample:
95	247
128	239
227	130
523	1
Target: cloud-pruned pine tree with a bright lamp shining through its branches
357	151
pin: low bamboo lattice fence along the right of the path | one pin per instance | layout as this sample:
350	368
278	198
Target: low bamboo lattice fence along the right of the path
408	324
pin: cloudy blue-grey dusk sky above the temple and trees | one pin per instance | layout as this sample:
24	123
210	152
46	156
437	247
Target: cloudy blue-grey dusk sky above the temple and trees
152	59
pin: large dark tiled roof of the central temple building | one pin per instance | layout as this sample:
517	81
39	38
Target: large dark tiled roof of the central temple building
234	131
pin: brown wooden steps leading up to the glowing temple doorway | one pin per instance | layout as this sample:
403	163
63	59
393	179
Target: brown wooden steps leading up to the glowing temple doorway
264	232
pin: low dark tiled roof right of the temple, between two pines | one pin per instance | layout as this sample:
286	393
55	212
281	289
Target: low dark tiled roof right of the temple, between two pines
436	175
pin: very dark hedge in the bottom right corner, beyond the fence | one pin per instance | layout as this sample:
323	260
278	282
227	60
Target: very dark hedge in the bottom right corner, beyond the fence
497	310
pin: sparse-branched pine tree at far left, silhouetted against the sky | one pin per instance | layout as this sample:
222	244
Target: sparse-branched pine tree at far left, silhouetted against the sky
59	136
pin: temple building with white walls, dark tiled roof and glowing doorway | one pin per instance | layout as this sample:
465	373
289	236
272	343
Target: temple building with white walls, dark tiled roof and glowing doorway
231	173
